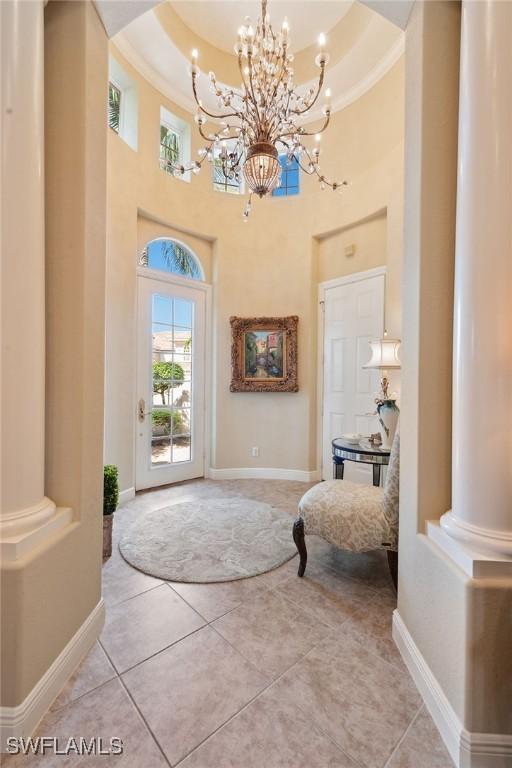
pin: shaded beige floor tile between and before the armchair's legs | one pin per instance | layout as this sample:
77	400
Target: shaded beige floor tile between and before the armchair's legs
328	595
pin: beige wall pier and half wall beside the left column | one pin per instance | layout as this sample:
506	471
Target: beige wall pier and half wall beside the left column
48	594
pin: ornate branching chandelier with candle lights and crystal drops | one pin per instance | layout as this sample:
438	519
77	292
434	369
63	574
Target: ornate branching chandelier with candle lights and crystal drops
263	118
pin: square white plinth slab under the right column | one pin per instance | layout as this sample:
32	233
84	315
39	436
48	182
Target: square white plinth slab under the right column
477	565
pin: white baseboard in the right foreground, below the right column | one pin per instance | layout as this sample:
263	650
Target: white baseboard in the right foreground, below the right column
467	749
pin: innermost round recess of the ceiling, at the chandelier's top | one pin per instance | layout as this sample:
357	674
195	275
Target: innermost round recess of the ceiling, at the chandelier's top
217	21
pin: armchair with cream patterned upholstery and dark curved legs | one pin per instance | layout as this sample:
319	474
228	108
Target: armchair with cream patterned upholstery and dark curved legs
351	516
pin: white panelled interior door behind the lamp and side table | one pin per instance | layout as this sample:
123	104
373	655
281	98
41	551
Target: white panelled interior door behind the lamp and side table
353	314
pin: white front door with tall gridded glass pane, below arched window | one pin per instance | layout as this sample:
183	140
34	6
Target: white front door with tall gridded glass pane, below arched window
170	399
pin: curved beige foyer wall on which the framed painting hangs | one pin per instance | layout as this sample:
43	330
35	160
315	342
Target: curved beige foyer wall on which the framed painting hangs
265	267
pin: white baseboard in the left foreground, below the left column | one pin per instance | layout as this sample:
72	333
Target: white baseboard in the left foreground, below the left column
22	720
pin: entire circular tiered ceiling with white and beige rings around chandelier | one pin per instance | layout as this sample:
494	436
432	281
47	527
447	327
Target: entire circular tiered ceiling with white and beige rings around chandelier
362	44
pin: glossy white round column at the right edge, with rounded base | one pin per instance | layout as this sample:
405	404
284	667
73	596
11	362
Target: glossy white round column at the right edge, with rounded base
481	515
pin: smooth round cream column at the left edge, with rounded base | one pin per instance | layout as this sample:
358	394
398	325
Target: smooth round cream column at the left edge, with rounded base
24	507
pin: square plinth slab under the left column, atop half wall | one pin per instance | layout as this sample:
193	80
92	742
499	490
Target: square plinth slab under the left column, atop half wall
15	544
